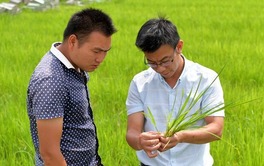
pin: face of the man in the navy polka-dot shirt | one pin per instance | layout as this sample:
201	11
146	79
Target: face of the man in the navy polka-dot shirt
88	55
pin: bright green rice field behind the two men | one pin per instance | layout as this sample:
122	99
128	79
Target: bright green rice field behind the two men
215	33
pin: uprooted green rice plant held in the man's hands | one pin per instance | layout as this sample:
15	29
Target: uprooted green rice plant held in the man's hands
186	121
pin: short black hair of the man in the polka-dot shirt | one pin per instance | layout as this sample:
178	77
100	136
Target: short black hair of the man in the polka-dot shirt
87	21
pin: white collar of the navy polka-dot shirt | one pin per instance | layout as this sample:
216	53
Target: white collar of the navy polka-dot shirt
60	56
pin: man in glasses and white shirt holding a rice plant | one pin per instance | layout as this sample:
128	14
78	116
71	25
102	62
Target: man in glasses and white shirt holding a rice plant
160	88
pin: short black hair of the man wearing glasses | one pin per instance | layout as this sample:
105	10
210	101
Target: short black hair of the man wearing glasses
155	33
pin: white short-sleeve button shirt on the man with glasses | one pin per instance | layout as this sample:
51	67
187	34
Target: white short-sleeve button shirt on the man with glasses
148	89
